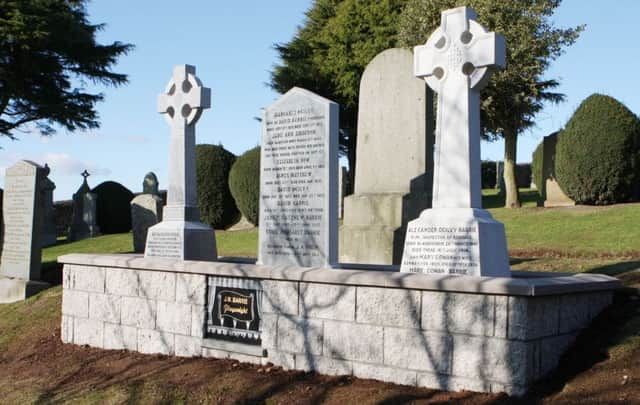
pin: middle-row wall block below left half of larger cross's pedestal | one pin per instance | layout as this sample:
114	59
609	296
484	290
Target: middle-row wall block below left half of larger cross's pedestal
416	350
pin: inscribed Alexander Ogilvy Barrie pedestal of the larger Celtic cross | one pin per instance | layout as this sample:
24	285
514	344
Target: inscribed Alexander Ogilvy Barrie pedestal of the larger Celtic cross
456	241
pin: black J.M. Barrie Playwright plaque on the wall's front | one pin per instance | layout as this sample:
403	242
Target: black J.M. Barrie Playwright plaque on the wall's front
234	310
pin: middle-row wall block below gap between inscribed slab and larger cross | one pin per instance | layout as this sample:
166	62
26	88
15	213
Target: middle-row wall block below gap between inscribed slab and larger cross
351	341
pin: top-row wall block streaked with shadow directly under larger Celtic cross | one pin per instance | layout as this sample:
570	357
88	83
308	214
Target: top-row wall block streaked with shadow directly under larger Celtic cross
458	313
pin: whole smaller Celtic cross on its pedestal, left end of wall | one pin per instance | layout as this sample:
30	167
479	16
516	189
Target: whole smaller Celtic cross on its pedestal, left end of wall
181	234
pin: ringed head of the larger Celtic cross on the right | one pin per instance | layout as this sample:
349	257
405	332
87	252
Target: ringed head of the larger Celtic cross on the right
460	47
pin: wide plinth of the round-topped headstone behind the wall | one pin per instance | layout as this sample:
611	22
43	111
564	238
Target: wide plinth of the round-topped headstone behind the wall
374	226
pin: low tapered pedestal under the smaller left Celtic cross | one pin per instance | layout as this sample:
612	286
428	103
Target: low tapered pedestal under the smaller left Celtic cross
186	240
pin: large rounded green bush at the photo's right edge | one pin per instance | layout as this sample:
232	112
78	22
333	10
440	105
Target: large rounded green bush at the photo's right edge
597	153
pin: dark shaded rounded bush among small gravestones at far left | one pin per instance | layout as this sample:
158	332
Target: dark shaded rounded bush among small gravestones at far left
113	209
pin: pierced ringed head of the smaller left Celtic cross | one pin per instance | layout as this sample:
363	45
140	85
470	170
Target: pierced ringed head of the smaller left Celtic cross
184	98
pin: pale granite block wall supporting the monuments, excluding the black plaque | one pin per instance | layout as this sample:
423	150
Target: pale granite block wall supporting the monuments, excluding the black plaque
445	340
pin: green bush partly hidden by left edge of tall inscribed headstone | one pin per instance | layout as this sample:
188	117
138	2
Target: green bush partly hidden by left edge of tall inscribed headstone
244	181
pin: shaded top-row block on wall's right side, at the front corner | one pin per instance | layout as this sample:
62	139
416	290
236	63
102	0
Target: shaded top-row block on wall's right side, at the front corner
531	318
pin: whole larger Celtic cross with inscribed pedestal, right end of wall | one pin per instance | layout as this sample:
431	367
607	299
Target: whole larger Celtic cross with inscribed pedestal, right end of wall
457	236
